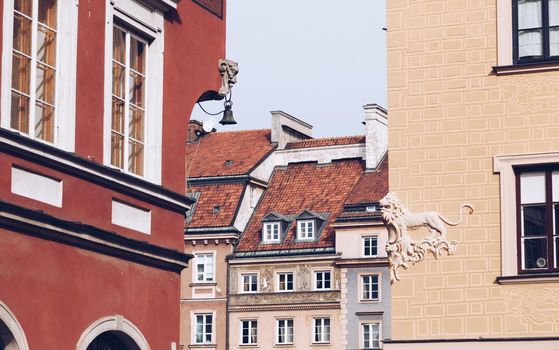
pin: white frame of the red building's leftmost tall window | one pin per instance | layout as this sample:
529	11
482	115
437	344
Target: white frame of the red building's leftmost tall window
65	88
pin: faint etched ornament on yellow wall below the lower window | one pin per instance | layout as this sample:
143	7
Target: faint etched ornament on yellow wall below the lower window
533	305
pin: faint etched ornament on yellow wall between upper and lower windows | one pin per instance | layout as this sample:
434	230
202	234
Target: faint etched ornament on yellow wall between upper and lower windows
529	94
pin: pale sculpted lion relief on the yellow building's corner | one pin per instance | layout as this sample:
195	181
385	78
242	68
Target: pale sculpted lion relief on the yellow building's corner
401	249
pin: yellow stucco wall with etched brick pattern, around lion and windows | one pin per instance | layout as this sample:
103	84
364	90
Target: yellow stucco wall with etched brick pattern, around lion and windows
449	115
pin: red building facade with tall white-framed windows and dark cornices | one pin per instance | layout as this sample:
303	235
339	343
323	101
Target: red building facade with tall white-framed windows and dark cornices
94	111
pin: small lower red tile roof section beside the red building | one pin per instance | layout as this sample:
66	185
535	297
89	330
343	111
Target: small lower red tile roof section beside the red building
216	205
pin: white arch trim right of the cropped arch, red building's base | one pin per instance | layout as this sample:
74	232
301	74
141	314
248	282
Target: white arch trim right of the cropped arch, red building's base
112	323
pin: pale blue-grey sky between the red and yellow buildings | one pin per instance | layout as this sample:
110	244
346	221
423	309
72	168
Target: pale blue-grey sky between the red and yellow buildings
318	60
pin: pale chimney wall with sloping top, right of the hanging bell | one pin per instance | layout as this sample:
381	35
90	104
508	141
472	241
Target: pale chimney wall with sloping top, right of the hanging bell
286	128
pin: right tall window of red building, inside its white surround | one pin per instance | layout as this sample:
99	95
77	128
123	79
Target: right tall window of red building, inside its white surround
128	100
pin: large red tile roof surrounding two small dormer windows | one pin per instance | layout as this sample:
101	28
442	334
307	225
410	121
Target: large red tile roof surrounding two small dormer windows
319	188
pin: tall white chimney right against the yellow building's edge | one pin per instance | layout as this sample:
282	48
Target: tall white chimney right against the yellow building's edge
376	134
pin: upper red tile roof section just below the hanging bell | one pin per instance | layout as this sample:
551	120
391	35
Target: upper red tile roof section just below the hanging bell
227	153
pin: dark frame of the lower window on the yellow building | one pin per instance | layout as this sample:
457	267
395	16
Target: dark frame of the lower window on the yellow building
548	170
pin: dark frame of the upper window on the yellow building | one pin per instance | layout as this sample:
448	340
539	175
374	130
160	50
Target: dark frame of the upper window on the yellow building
545	37
